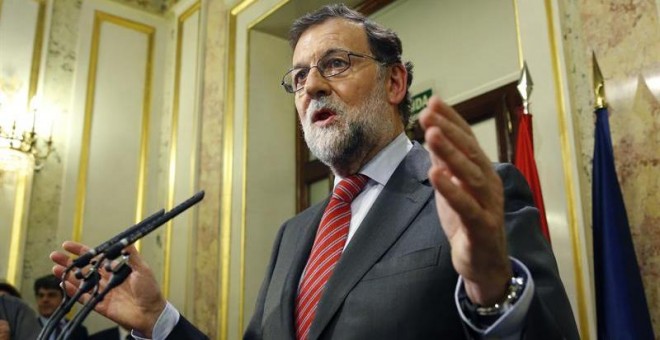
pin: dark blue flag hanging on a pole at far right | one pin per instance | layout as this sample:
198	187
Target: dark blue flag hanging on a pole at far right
621	306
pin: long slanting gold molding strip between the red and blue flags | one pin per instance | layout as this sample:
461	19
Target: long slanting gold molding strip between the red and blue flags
569	185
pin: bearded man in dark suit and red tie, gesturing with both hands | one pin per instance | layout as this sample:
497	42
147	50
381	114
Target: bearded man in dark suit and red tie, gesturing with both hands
413	244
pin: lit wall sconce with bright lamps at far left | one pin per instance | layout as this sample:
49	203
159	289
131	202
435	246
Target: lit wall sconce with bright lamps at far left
19	133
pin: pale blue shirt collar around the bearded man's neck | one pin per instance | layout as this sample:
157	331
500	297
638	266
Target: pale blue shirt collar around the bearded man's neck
382	166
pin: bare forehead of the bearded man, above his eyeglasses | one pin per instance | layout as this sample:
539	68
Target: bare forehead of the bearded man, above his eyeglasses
332	34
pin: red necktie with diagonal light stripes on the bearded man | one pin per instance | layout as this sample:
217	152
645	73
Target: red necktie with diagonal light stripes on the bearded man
326	251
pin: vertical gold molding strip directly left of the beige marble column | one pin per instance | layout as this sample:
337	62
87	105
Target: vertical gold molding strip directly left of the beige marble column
173	143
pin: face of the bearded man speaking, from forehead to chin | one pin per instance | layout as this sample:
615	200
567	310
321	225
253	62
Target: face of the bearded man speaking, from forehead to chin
345	118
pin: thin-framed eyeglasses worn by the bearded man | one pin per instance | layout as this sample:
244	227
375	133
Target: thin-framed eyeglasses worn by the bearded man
333	63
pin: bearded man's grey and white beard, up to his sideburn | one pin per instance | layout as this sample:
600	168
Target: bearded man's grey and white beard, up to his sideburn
356	131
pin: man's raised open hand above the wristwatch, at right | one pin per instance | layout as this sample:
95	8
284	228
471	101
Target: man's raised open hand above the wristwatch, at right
470	202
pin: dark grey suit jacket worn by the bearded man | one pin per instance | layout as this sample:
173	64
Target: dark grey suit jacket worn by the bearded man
395	279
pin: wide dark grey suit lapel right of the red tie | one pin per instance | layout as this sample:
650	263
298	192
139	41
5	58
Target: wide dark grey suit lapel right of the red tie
408	190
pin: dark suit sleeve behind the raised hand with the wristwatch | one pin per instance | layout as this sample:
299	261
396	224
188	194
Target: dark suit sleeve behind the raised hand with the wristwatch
550	315
